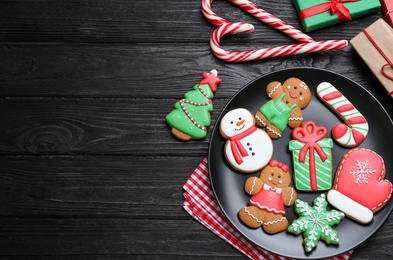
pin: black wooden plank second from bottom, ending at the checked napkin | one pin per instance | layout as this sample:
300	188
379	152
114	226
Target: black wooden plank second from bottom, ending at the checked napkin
94	186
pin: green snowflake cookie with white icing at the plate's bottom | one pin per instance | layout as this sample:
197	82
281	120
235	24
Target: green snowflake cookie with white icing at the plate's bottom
316	223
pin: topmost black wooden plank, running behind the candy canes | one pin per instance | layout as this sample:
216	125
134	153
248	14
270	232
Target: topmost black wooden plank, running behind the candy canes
154	21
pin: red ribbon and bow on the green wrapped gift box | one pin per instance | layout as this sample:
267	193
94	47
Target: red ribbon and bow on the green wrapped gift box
335	6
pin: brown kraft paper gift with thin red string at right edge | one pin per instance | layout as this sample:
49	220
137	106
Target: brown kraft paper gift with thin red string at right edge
376	50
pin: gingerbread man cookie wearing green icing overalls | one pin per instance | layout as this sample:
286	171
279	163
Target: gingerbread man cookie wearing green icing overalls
285	107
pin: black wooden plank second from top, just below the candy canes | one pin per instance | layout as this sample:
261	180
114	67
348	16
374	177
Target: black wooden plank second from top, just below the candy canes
81	70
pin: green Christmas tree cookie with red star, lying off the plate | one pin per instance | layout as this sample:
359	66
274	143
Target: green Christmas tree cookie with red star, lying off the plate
191	115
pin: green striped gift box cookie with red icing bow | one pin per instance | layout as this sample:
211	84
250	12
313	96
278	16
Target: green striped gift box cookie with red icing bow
312	157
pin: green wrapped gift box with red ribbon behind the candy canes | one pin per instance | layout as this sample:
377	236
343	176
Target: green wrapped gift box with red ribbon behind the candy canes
316	14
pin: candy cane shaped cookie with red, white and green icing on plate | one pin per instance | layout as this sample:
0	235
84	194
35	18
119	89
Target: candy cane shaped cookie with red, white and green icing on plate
355	129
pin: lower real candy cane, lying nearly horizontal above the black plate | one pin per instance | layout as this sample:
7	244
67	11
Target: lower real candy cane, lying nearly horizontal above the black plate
259	54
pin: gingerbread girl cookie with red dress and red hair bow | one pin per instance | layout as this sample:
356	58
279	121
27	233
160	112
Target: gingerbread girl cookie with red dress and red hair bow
270	193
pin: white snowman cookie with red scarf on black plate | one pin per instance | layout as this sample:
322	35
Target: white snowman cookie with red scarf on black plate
248	148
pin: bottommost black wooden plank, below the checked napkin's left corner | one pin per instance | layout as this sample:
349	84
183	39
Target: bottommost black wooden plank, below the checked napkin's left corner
120	238
